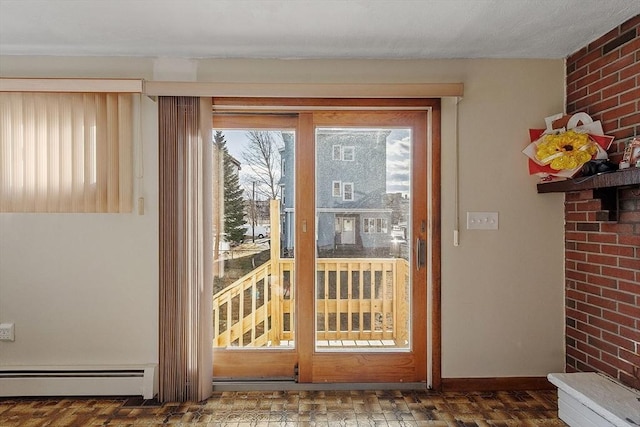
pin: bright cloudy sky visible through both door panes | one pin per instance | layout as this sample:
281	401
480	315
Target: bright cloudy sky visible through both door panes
398	158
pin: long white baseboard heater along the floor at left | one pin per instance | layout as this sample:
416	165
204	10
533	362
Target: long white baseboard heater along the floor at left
75	381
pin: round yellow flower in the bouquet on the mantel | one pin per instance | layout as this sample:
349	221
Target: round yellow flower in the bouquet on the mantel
567	150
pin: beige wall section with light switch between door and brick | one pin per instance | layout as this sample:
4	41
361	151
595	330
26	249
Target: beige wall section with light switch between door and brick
502	291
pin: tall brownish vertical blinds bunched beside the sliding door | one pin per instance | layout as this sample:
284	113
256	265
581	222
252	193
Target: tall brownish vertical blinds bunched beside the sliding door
186	326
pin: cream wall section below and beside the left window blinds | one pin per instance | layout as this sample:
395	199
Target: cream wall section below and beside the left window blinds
82	289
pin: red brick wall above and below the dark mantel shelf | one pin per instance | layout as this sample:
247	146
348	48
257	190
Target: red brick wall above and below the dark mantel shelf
602	256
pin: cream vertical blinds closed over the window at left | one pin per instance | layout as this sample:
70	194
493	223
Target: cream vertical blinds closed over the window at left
66	152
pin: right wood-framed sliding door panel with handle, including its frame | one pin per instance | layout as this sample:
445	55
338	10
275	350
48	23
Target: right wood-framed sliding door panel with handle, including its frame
368	278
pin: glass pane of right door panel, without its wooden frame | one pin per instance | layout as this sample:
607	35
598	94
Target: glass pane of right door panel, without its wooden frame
363	216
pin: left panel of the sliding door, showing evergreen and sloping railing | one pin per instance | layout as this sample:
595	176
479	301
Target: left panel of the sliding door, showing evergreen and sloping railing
254	278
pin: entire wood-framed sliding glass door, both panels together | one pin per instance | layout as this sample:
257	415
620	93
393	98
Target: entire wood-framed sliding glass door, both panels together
337	289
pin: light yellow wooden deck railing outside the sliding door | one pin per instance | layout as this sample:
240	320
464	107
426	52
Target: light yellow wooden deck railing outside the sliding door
356	299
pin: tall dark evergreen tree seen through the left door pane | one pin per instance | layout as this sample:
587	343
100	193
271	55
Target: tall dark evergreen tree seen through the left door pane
233	201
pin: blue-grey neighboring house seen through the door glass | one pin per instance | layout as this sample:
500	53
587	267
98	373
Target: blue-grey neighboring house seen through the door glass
353	215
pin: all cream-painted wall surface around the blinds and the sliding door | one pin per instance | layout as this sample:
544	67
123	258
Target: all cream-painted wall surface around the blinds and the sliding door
502	291
